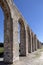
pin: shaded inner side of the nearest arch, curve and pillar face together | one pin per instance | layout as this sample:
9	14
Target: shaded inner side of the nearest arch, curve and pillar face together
8	31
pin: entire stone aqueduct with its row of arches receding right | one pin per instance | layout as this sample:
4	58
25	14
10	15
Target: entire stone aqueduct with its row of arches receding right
28	40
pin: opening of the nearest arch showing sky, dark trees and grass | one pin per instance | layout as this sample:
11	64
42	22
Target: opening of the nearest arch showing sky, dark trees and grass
1	32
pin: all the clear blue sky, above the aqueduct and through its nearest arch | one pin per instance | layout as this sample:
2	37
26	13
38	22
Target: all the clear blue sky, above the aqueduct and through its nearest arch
32	10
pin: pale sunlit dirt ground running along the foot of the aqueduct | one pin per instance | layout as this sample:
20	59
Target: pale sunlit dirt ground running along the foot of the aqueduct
35	58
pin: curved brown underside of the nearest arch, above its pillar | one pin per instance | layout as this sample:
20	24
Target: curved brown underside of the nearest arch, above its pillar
5	7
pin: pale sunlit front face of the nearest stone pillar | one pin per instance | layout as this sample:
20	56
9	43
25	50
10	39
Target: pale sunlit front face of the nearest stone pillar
15	41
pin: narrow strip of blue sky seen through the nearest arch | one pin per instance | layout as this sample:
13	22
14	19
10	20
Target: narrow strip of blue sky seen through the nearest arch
1	25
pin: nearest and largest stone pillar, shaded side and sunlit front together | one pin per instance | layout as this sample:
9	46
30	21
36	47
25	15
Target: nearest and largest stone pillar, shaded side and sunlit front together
11	46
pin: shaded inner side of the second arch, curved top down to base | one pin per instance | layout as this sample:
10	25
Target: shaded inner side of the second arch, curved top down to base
22	38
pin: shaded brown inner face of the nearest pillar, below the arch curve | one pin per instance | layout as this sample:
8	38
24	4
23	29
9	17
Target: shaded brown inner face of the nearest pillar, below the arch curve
8	40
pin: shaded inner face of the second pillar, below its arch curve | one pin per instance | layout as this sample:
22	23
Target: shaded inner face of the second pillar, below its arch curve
22	41
